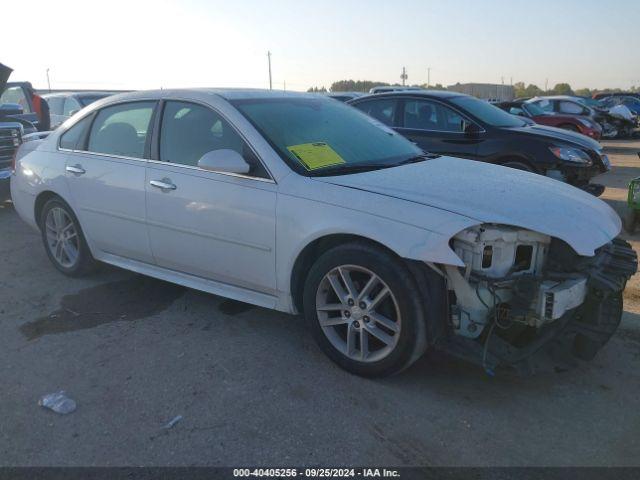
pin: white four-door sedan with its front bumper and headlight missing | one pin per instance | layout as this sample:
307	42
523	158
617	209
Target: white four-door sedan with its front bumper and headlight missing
302	204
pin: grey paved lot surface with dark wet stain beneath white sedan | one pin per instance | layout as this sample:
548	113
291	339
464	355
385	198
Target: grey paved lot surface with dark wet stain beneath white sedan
252	388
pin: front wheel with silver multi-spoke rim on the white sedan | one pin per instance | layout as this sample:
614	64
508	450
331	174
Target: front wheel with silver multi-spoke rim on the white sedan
364	310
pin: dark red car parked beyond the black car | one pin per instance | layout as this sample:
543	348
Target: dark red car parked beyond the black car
579	124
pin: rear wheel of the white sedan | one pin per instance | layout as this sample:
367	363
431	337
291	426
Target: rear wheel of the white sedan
63	239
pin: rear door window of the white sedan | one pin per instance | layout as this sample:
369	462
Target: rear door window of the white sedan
122	129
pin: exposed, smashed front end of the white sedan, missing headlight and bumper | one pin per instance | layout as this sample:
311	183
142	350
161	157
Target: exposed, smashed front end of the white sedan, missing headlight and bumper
524	298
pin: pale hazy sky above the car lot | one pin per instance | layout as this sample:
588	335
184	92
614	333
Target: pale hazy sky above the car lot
139	44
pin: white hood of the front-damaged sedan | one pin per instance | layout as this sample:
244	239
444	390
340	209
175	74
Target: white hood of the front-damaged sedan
494	194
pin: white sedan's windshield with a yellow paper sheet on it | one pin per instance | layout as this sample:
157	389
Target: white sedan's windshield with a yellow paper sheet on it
319	136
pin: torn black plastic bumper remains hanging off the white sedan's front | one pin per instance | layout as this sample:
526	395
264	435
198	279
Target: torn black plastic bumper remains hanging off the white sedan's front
578	334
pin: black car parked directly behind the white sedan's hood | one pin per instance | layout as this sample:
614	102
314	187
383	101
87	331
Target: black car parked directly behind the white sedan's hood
459	125
